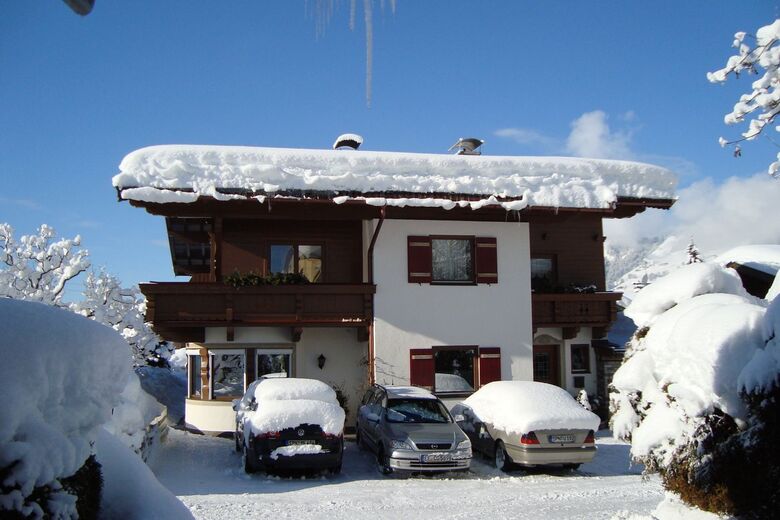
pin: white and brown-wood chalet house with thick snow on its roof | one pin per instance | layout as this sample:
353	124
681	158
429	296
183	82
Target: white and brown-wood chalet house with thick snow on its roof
354	267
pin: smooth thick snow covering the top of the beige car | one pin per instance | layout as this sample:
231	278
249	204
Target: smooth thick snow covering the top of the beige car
523	406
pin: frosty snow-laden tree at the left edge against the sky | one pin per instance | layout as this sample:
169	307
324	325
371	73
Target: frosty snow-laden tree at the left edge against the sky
38	267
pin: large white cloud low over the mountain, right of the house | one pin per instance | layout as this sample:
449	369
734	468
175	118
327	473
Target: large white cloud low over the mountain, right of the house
718	216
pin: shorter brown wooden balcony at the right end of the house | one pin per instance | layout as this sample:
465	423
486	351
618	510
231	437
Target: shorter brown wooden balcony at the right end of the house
574	310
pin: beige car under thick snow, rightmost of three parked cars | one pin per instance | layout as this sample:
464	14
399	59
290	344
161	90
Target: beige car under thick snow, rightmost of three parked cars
529	424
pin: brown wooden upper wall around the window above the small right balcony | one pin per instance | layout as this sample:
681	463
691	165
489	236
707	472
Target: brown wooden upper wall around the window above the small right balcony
576	243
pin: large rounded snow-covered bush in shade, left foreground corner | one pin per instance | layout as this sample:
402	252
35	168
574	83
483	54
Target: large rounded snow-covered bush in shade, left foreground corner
61	375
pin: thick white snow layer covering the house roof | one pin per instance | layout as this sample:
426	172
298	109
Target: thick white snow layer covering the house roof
158	173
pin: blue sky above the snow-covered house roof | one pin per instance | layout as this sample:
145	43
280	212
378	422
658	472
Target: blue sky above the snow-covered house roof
77	94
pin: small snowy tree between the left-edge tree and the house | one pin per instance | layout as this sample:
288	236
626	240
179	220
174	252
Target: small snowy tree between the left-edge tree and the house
121	308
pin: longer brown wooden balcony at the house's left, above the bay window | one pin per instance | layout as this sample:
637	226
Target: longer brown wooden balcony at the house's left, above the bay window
180	310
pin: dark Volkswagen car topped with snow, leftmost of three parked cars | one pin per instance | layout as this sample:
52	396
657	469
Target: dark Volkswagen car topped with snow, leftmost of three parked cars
289	423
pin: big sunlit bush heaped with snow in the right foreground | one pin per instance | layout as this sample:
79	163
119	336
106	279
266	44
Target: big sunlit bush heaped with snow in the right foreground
697	393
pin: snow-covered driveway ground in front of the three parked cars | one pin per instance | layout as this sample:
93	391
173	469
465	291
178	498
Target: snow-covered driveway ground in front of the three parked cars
206	474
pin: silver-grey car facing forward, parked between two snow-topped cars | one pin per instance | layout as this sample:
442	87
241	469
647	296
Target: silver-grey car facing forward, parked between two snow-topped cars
410	430
